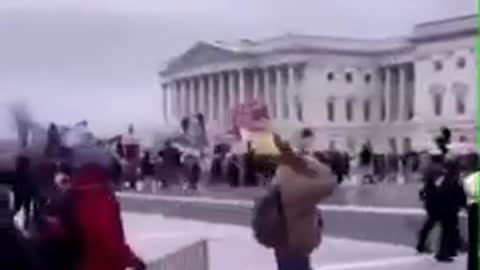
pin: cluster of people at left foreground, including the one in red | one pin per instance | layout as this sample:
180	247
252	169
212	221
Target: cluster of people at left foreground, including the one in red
69	215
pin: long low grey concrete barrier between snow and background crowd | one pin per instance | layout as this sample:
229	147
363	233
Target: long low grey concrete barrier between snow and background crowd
377	224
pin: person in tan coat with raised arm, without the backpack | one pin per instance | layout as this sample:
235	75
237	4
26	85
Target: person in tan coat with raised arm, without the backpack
304	182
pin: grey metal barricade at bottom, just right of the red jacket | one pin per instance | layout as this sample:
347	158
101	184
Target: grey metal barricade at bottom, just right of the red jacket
192	257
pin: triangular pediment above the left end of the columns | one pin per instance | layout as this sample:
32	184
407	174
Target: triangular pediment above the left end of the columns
200	54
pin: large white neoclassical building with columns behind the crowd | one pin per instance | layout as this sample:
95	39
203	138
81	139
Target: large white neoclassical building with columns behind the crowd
394	93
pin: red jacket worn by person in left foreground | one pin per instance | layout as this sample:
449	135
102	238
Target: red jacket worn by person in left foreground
98	215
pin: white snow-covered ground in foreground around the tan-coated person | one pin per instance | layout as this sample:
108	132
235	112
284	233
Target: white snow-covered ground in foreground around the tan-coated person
232	247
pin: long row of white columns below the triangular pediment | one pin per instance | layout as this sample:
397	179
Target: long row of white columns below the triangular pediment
216	94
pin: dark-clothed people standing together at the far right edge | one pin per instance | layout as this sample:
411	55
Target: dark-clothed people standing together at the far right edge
444	195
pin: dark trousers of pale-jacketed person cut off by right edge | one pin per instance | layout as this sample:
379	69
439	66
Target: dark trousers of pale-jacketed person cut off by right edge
473	237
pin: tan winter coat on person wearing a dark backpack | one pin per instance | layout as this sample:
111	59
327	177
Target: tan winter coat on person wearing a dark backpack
300	196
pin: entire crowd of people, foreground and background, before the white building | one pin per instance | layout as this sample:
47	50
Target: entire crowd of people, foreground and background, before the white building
72	218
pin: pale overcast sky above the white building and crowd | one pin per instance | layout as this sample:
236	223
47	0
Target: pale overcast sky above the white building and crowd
75	59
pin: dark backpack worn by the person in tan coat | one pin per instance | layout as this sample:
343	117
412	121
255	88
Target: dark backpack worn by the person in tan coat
268	221
